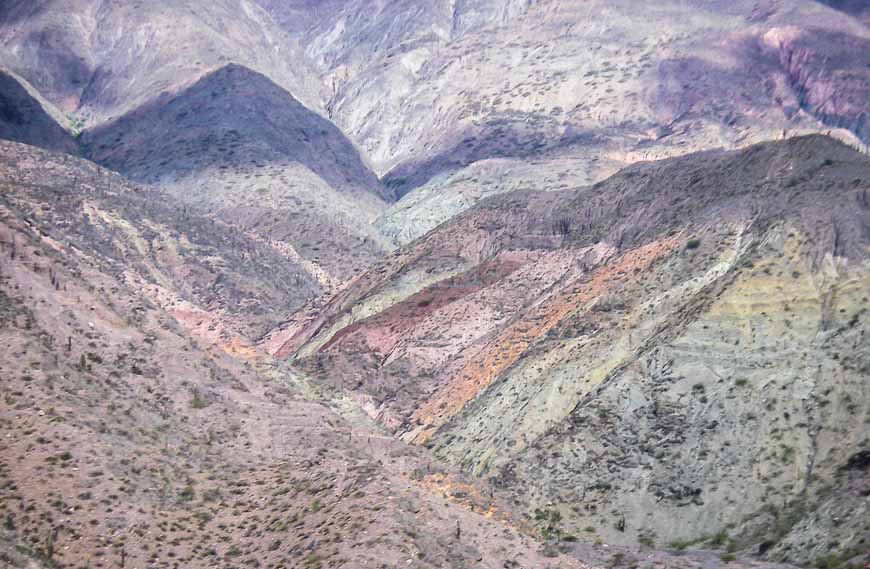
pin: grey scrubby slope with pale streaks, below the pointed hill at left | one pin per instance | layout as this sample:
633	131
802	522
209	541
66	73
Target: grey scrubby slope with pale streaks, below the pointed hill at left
231	283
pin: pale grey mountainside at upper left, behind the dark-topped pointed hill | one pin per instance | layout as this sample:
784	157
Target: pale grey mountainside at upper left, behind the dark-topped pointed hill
101	59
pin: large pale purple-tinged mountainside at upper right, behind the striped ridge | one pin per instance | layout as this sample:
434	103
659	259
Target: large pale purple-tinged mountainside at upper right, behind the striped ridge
454	101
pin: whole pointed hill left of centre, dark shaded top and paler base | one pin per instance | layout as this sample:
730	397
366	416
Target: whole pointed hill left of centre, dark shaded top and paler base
238	146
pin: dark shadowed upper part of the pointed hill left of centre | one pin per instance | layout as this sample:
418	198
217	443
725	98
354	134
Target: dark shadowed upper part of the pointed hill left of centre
231	117
